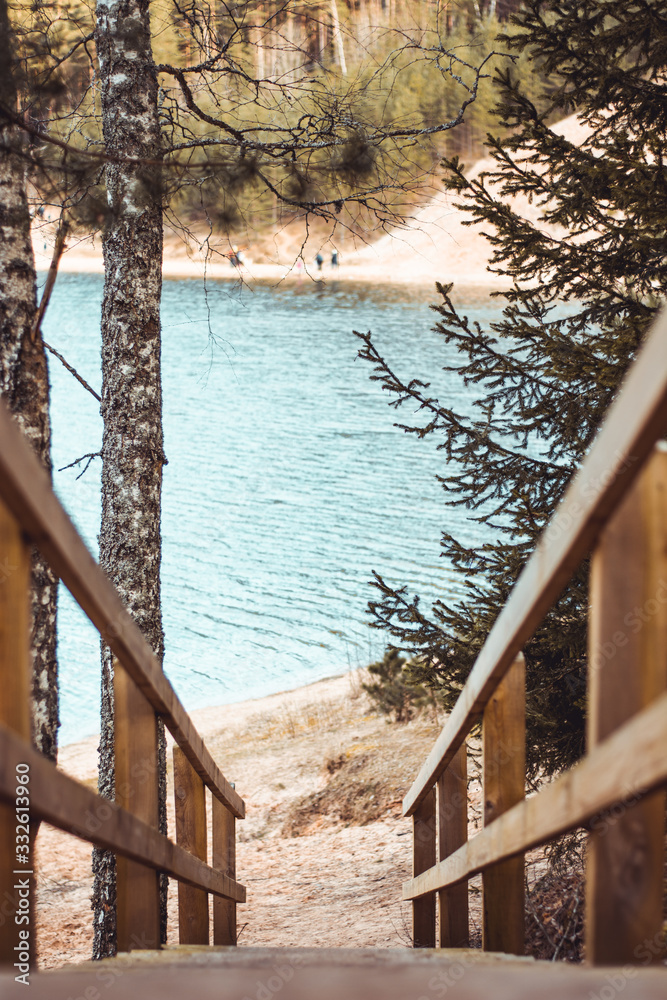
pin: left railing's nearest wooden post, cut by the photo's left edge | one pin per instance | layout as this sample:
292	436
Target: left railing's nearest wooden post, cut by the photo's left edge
16	879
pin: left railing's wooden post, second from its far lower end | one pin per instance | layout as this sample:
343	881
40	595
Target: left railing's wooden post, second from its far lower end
190	800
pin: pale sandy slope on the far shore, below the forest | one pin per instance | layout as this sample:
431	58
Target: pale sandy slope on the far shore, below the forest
436	245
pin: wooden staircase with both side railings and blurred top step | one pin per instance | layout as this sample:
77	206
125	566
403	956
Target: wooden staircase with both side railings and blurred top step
616	508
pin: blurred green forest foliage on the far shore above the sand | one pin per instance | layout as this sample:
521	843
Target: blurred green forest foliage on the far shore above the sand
271	110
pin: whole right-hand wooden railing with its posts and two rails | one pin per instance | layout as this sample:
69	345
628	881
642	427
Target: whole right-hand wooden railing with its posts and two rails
616	510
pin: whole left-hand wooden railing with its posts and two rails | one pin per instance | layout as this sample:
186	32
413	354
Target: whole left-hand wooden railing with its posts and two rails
33	789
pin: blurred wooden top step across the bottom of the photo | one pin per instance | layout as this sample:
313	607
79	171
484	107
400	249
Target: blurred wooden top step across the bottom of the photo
201	973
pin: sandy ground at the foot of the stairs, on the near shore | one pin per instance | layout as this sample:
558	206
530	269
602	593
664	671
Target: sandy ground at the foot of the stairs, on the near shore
323	850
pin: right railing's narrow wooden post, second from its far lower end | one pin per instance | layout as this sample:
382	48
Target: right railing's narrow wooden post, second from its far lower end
452	834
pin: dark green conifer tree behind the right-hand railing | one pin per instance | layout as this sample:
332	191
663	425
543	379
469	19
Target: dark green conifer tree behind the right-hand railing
586	281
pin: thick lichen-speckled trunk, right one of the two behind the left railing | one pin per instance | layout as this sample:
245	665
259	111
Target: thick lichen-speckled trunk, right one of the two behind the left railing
132	452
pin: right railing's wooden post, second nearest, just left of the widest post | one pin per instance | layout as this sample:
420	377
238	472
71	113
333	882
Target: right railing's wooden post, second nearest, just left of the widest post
504	776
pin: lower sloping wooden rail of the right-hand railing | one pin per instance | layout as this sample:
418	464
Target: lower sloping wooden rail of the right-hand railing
625	766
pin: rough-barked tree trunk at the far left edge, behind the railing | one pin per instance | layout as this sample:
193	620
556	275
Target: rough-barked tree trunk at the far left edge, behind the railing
24	384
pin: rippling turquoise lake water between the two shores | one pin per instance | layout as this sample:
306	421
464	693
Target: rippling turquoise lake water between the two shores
287	482
